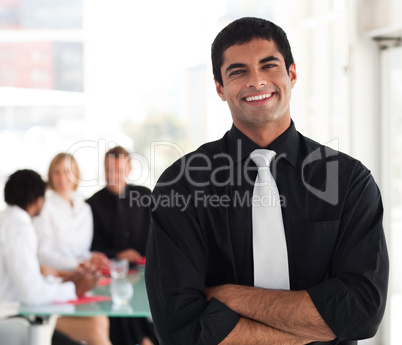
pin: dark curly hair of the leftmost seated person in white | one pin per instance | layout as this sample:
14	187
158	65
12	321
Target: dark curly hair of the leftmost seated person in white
23	188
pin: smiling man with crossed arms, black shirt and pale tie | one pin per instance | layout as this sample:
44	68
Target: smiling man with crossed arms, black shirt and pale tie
287	245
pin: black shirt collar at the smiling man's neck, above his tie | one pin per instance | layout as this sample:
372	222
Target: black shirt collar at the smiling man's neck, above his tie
239	146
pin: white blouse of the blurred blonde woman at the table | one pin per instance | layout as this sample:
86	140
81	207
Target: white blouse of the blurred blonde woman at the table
64	232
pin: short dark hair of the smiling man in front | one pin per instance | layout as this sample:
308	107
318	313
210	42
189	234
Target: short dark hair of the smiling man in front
244	30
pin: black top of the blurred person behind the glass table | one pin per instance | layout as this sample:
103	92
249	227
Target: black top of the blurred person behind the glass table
120	222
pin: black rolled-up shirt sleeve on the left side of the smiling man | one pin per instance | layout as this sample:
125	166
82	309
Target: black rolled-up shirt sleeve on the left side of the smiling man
176	272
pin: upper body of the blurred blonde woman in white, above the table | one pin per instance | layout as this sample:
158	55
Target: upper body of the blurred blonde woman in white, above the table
65	226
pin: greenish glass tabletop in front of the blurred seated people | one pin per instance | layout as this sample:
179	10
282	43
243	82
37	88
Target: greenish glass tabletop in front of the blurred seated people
137	307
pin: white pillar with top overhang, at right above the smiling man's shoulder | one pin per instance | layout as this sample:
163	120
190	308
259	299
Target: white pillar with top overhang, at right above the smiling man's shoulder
368	19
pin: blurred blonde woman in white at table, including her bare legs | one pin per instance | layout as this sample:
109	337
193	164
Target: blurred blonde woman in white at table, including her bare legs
65	230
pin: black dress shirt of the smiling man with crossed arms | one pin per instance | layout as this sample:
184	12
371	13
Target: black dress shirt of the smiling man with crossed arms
332	214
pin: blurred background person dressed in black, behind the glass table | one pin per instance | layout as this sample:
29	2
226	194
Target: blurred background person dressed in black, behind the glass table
121	225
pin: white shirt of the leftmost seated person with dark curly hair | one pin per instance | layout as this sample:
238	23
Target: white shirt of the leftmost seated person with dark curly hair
21	279
